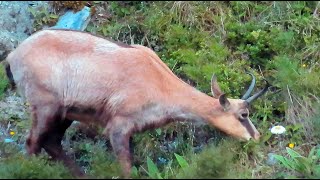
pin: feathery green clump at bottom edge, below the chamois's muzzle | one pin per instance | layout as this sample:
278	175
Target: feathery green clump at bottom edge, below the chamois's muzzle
216	161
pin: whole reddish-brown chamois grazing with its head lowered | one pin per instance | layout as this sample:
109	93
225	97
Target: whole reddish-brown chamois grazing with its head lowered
70	75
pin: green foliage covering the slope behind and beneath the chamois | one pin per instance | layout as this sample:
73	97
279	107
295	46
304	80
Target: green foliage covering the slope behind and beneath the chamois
276	40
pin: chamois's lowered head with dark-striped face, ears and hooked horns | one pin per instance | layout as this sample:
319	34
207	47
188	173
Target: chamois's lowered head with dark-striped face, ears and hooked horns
234	118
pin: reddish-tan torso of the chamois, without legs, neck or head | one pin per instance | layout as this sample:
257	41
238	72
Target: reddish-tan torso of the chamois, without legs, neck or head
81	68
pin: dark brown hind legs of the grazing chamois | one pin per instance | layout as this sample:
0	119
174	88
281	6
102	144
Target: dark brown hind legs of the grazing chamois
47	132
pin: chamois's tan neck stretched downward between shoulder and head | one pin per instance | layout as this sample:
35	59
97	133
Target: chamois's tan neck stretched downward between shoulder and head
186	104
